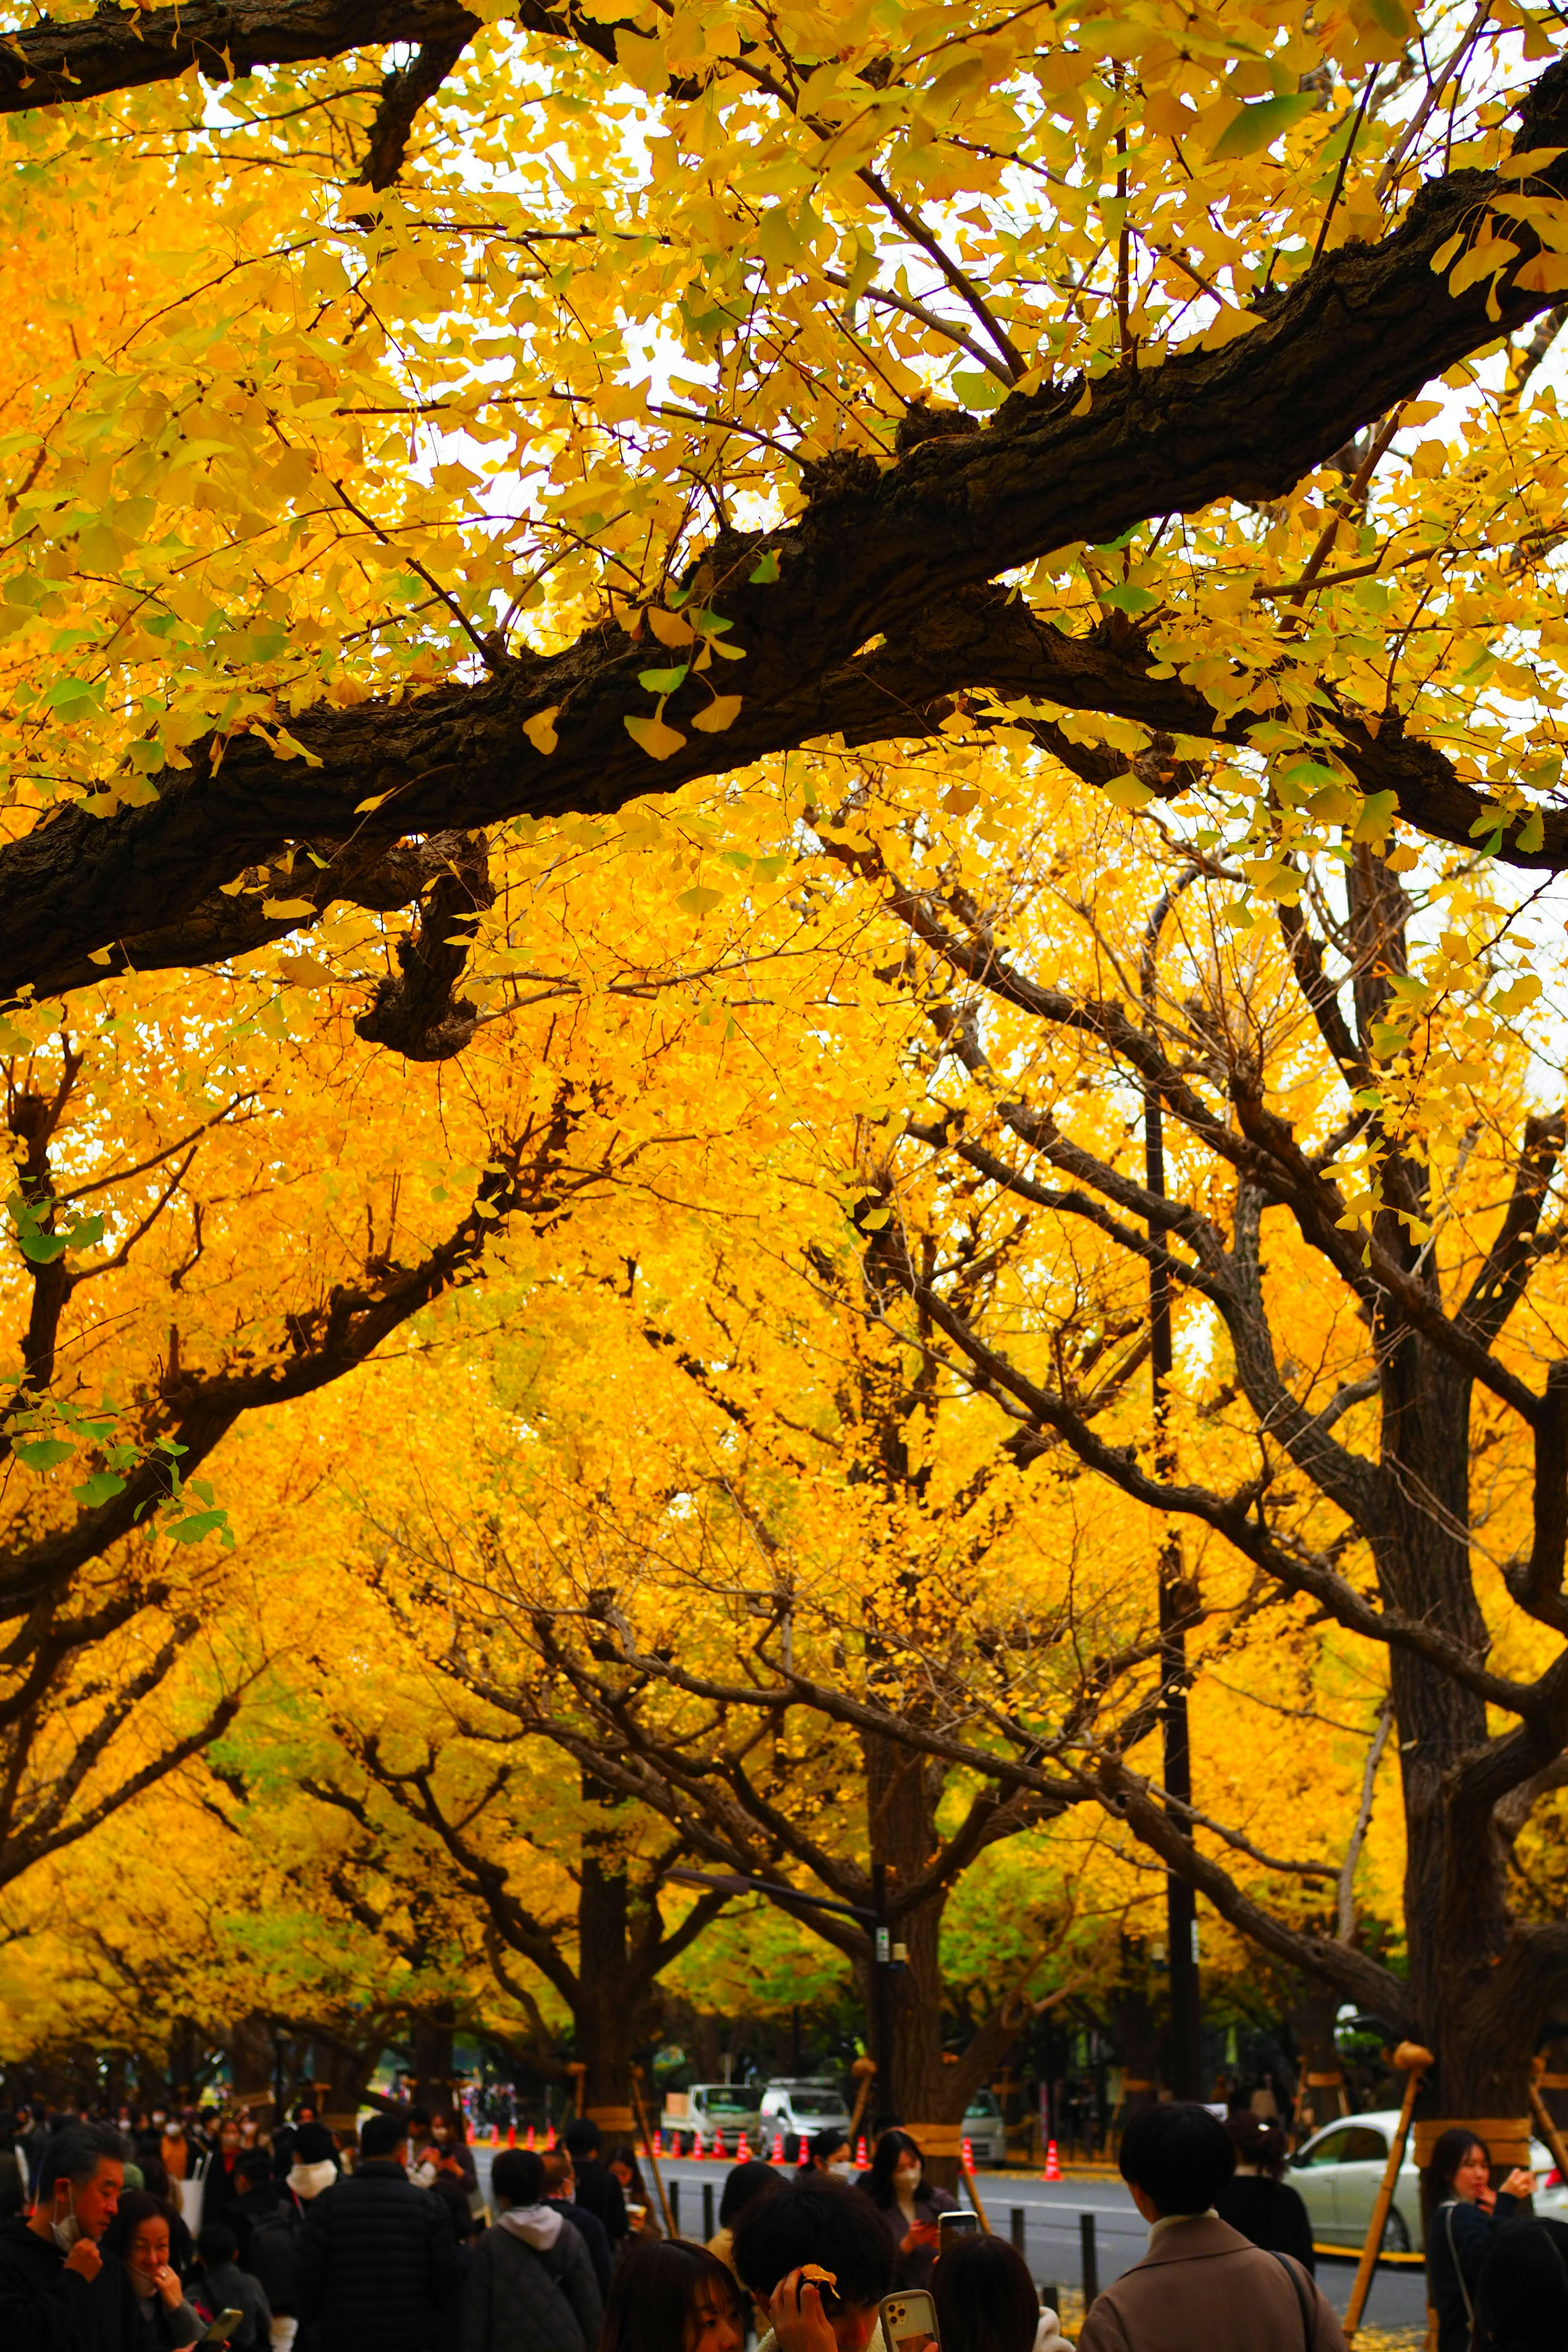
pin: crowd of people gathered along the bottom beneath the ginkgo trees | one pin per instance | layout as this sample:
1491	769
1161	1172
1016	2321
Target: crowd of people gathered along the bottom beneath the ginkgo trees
387	2245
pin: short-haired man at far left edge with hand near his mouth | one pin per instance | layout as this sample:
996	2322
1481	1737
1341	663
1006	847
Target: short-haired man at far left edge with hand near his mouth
58	2292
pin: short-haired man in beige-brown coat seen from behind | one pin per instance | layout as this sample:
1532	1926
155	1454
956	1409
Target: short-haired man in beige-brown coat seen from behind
1202	2287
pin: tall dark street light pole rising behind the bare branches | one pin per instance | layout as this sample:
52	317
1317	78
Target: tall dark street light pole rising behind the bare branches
1174	1601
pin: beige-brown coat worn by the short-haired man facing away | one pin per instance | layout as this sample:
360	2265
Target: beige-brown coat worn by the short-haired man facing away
1202	2287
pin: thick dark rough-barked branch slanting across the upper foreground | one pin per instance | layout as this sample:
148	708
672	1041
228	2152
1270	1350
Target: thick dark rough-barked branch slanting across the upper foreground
1360	333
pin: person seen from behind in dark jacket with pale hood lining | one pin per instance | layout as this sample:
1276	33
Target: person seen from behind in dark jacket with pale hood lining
530	2280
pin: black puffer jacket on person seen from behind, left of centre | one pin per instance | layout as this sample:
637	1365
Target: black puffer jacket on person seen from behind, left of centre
375	2264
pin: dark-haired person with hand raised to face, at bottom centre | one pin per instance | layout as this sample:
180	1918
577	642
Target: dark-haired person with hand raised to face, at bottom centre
833	2226
